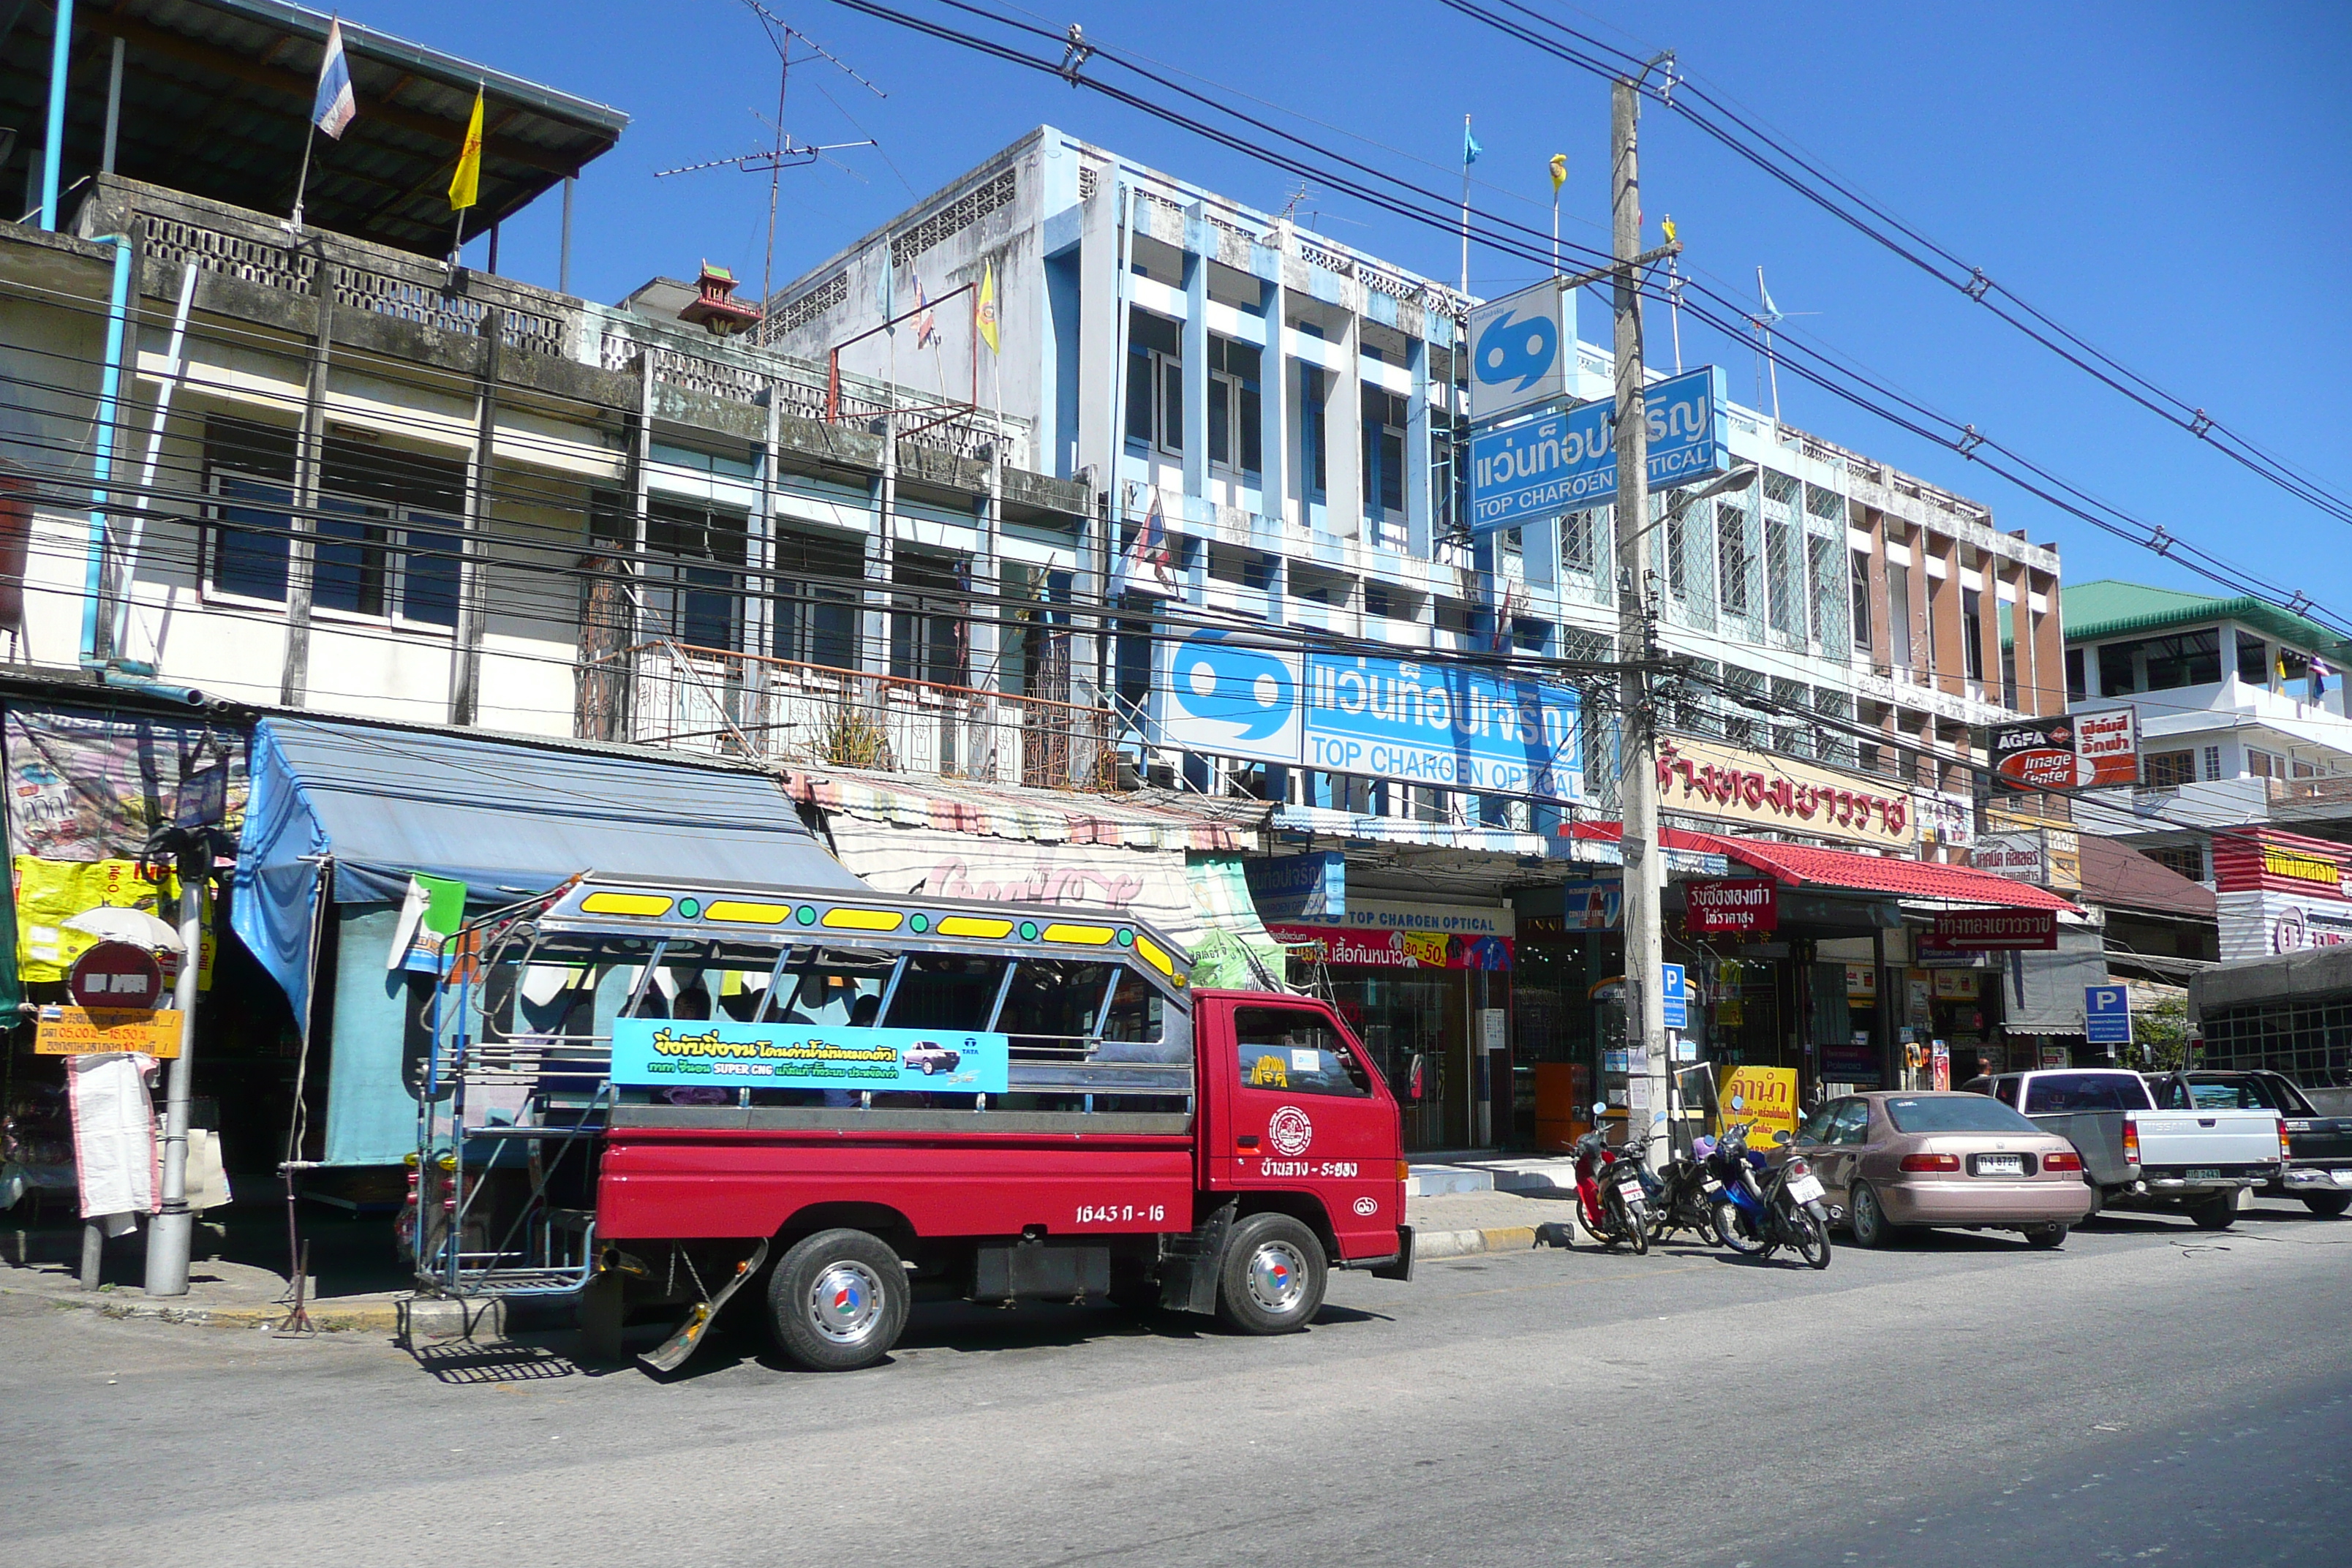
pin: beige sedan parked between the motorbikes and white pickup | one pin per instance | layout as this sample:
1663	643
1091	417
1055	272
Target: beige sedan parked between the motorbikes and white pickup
1897	1162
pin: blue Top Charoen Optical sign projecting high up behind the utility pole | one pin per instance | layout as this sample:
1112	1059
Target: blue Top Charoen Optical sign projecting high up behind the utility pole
1568	462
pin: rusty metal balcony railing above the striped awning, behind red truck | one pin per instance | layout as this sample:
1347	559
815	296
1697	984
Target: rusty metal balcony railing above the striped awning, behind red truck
796	713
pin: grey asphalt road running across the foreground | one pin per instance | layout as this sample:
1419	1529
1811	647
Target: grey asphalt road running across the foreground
2149	1395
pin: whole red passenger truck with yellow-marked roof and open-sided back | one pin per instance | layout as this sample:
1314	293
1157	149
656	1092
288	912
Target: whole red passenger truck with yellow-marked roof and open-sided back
766	1076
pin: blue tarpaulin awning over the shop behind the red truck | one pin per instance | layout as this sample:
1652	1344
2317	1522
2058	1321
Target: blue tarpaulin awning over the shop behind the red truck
502	817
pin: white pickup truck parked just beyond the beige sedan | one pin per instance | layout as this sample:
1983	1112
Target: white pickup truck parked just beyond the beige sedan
2146	1158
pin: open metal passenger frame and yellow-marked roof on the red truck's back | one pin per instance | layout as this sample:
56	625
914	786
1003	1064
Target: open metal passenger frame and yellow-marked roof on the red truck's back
516	1087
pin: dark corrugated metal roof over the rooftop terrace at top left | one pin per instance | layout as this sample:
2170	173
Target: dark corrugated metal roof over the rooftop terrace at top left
218	102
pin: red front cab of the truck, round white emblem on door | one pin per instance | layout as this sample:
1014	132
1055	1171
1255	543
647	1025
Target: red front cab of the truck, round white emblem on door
1304	1113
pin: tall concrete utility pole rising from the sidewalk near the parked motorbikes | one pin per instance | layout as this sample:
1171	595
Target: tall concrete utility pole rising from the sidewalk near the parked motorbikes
1638	744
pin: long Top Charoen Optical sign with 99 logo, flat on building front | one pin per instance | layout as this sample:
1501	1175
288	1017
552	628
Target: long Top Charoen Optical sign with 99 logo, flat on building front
1424	723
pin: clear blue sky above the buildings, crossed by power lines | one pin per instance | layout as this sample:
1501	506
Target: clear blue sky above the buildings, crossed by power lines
2170	182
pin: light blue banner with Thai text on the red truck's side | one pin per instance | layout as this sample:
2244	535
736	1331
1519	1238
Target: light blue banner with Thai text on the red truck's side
723	1054
